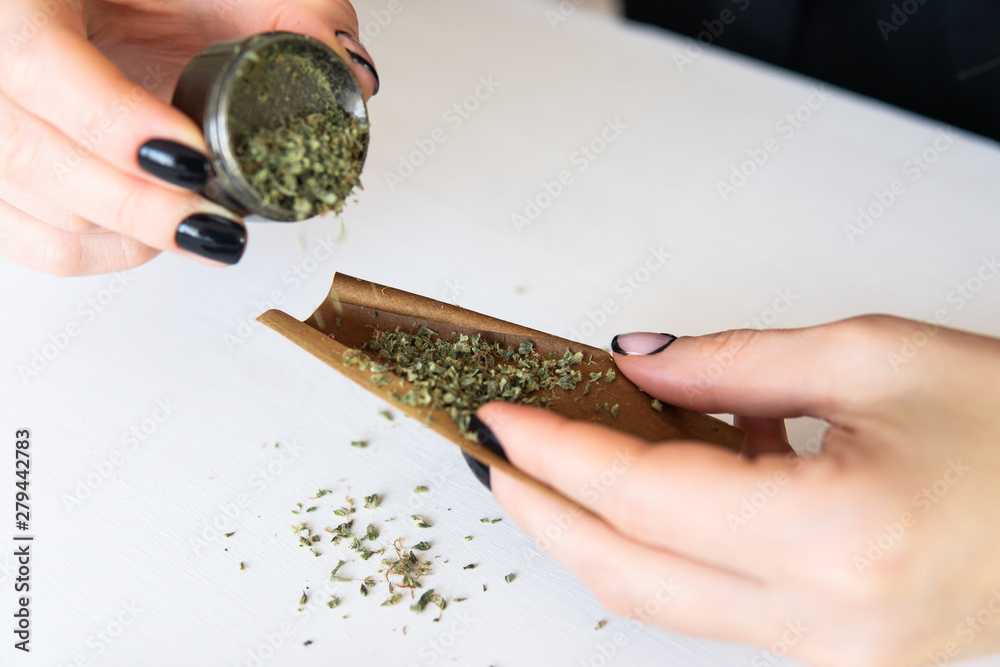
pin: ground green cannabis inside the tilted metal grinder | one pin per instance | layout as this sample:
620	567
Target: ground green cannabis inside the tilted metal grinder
308	163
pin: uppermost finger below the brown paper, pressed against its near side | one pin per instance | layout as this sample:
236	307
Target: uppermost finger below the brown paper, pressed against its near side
677	496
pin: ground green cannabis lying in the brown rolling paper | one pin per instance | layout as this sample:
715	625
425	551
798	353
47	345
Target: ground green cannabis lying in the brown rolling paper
461	373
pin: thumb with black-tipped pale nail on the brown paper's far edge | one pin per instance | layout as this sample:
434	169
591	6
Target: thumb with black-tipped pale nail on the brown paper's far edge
821	371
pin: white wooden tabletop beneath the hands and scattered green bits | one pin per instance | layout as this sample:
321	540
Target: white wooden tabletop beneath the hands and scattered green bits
148	533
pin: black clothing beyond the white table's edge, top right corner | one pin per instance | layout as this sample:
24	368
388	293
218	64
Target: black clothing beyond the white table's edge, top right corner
940	58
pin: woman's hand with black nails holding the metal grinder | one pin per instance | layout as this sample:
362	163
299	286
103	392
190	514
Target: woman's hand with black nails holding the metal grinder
98	173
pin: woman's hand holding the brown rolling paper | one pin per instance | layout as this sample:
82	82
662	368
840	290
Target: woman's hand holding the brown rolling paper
883	550
